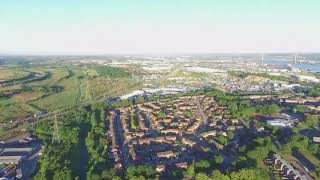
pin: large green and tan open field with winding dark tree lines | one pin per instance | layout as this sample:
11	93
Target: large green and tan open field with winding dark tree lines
63	87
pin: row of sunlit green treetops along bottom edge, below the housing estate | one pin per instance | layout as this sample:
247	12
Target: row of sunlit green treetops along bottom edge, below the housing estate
201	170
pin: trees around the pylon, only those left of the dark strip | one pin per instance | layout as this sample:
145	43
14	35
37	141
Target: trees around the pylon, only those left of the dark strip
60	157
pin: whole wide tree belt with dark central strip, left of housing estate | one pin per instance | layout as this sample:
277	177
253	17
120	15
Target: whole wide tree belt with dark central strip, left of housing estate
81	151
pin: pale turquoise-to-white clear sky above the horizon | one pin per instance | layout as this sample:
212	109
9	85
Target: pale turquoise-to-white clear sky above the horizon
158	26
